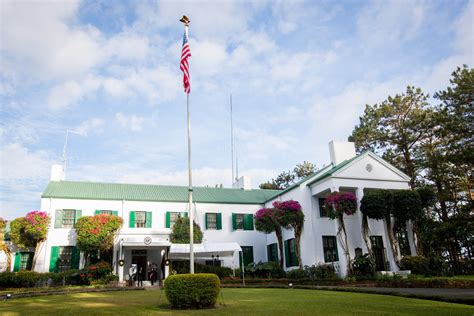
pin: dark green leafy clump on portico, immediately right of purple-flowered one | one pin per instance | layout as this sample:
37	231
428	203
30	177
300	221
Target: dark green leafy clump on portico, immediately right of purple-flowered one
377	203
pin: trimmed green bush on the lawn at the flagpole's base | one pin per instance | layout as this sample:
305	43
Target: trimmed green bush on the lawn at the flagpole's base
192	290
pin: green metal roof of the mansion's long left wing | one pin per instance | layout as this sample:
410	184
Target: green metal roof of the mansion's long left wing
158	193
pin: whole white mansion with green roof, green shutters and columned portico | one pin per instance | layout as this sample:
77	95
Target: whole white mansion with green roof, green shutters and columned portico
225	216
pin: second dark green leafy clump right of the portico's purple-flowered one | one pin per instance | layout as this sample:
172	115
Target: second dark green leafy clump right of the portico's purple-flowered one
406	205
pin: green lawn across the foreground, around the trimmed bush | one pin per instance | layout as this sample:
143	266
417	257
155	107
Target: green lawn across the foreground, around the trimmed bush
237	301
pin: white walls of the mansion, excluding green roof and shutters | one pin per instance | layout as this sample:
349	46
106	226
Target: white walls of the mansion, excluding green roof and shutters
346	173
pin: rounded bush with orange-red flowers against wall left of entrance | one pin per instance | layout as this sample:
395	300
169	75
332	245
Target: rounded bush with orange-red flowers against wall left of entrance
96	233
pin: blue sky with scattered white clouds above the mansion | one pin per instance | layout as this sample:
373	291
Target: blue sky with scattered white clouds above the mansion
300	74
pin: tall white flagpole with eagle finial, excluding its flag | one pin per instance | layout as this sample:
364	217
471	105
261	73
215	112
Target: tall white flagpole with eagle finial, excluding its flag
185	20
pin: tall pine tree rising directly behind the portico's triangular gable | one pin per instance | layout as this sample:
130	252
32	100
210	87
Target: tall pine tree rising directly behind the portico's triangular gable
395	129
